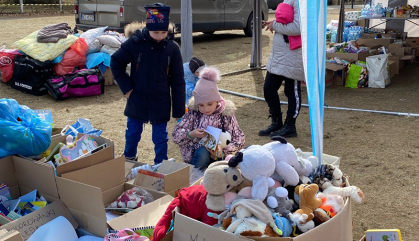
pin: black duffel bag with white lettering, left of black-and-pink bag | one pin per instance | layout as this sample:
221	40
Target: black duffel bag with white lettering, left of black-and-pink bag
30	75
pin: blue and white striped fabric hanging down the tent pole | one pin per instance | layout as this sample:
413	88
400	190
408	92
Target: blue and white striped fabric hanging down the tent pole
313	16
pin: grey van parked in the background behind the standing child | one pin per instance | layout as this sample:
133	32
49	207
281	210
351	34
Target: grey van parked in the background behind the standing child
208	15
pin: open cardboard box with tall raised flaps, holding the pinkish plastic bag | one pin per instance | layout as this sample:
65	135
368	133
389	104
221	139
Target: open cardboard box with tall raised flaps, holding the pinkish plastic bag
86	193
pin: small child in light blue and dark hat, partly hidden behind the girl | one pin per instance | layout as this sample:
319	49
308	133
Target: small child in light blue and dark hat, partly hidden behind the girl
191	71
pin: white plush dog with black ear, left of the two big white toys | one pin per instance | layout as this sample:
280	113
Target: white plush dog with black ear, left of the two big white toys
256	164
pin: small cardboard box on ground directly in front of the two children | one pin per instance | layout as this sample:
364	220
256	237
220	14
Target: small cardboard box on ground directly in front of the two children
171	177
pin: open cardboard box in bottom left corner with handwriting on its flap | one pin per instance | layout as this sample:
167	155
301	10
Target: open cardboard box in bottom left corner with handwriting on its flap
22	177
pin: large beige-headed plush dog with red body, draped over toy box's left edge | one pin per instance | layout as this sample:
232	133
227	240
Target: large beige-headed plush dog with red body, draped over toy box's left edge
195	201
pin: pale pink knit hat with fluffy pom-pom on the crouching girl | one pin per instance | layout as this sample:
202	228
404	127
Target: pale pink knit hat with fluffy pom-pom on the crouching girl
206	89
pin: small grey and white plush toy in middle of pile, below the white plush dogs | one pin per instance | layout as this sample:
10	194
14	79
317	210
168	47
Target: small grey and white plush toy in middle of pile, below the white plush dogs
278	201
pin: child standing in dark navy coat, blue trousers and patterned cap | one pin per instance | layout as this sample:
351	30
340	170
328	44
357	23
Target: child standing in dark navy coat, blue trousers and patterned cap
155	83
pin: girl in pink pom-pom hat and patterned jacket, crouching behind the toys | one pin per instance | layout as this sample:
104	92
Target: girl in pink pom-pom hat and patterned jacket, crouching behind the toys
207	108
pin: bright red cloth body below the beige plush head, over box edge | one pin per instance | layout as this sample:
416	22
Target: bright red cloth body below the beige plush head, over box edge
191	202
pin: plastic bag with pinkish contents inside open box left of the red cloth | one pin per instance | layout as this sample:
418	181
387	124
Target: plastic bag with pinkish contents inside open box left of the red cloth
133	198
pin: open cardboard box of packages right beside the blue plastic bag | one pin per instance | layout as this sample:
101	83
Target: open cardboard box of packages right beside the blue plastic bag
98	157
